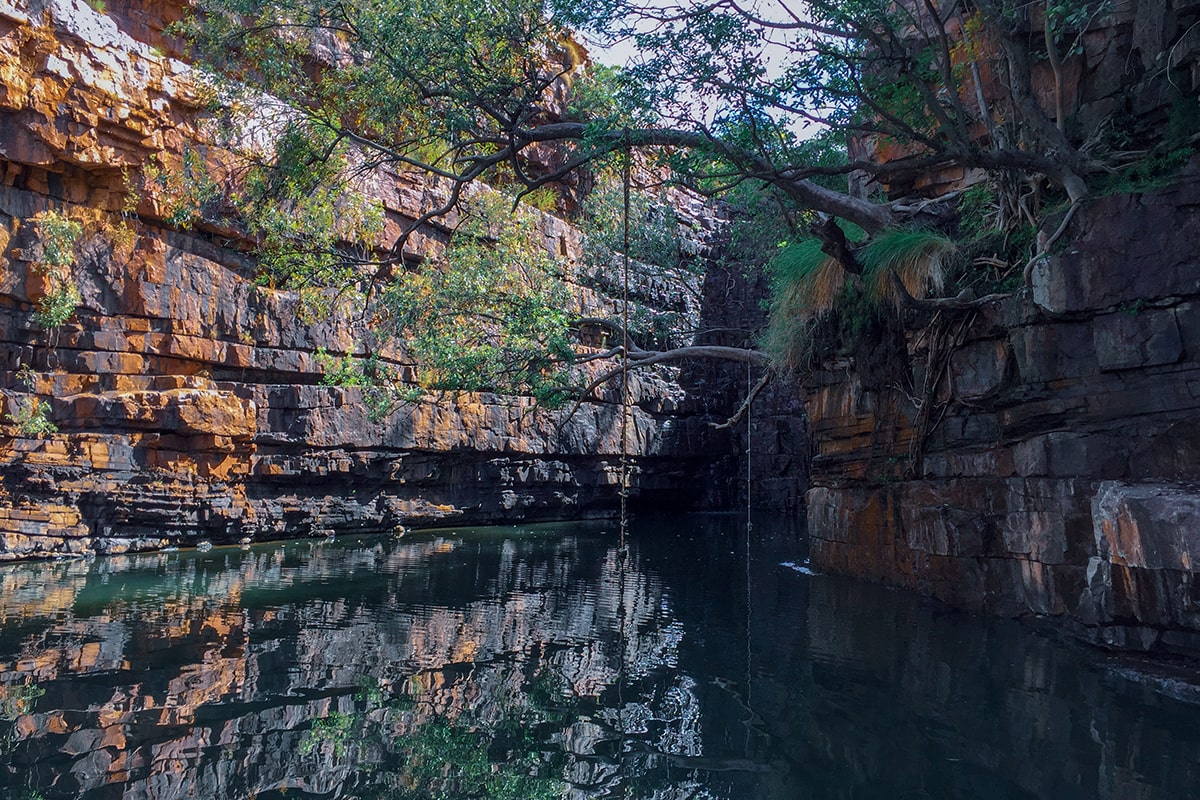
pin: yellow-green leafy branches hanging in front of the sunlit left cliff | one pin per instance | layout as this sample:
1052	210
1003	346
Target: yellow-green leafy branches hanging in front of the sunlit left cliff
315	98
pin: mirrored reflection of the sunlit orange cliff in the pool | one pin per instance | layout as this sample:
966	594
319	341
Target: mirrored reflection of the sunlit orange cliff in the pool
178	675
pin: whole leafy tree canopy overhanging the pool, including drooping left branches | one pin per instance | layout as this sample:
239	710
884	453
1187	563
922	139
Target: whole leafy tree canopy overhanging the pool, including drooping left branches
728	93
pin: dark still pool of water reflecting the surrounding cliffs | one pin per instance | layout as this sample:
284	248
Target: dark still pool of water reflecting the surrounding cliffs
529	664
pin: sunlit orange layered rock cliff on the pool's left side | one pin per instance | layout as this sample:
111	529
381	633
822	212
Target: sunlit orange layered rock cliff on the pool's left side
188	399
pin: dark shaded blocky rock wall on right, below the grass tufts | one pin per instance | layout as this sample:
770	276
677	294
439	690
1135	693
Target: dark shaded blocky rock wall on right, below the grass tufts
1058	452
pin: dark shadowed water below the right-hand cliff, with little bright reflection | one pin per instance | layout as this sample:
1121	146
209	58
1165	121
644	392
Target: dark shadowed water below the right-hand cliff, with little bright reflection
841	690
